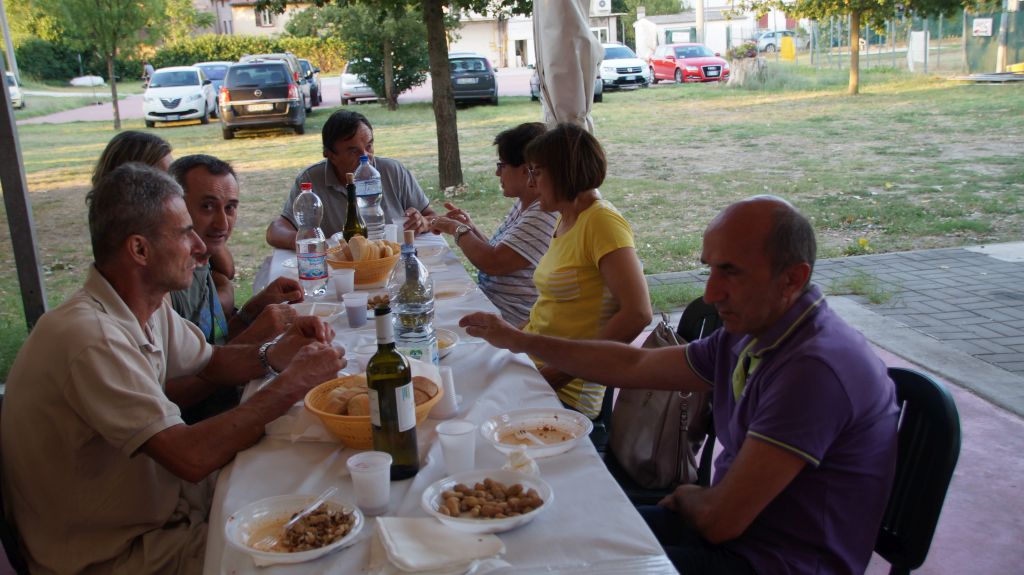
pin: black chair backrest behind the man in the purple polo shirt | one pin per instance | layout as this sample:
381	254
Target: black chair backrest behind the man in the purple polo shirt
929	445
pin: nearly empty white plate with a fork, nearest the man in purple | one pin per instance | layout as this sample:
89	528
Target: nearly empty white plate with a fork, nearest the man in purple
564	421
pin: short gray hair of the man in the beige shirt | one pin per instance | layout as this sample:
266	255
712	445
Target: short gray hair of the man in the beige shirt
127	202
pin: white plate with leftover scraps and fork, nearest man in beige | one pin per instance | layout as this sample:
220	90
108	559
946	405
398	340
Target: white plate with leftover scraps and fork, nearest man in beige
251	520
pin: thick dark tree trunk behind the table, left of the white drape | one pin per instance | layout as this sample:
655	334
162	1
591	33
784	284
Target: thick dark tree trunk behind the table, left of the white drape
449	163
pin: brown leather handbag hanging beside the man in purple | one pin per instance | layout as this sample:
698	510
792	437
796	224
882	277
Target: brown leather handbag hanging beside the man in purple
656	434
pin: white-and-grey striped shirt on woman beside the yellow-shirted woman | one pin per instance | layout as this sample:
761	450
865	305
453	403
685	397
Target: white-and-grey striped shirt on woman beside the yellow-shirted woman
528	233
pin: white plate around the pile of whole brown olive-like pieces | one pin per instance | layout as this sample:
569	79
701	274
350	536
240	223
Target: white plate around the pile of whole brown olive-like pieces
433	495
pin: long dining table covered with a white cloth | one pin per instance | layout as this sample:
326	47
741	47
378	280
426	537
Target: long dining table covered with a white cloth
590	526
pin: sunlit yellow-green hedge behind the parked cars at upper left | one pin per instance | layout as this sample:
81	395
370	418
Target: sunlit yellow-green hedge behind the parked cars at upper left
325	54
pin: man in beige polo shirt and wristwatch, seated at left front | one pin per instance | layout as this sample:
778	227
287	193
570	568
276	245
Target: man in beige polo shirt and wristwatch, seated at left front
101	472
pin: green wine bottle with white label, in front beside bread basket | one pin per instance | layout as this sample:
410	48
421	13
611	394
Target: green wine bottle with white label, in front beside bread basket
393	405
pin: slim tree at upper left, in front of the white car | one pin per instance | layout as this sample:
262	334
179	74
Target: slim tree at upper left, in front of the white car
107	27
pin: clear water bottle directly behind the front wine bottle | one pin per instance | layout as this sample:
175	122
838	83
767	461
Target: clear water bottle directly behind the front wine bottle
412	293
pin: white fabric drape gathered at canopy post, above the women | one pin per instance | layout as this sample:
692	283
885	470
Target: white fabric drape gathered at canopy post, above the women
568	59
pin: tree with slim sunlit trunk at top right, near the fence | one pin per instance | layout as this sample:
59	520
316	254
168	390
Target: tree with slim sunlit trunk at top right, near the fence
873	13
